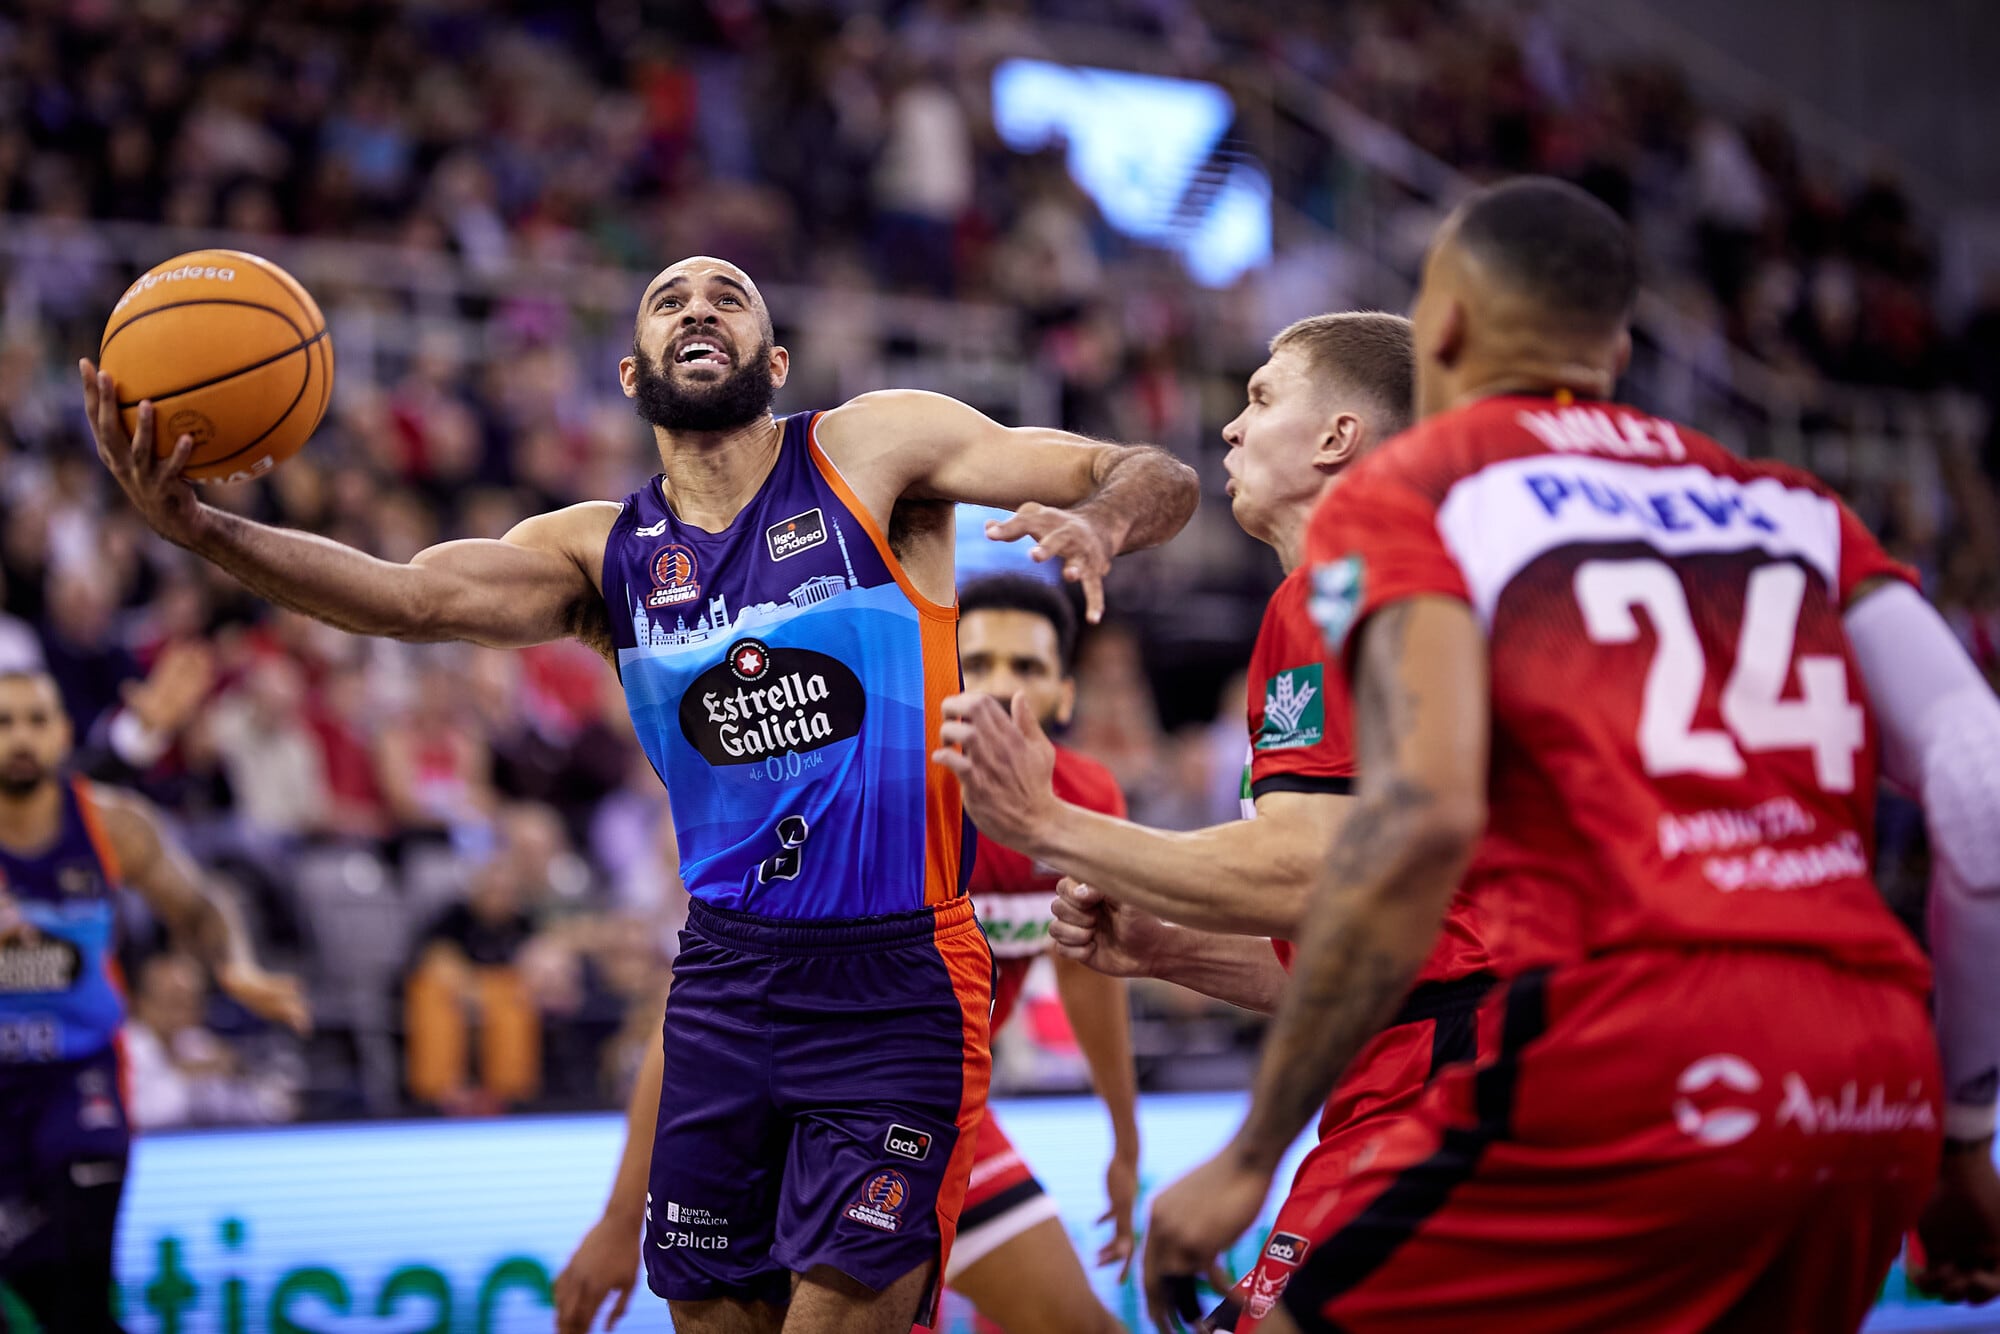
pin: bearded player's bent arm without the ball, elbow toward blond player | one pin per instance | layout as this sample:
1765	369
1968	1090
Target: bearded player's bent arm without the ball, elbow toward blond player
1083	501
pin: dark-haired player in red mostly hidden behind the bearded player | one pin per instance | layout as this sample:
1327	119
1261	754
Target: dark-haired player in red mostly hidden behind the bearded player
1013	1259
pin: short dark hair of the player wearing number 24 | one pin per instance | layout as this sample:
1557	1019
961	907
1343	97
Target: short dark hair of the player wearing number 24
1559	245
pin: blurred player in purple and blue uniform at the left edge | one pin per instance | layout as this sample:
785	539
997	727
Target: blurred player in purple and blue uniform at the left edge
65	851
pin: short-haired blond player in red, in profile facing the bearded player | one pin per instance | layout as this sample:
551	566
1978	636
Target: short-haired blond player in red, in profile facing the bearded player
1335	387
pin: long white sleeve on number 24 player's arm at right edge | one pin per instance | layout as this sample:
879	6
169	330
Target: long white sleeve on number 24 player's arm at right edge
1941	739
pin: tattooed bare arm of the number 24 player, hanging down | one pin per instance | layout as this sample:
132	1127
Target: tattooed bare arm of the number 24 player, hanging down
1421	719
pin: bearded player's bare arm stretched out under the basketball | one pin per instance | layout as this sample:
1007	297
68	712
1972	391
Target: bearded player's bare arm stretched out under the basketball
531	587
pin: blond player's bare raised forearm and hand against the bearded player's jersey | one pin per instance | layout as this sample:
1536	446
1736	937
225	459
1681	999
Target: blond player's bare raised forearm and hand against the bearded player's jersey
1249	877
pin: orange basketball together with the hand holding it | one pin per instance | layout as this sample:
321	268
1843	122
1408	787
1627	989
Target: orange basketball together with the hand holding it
215	367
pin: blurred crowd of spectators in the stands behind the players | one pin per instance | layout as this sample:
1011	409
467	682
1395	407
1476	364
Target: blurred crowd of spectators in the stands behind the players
839	147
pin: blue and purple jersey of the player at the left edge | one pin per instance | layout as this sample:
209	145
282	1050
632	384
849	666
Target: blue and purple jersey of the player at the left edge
59	985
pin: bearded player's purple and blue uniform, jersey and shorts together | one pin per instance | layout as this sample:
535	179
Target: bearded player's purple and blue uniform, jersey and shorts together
827	1033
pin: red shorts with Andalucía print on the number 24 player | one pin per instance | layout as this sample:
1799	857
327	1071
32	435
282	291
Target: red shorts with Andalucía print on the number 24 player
1653	1141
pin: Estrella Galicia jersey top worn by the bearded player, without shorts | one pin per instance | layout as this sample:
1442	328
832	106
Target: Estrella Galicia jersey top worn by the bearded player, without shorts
787	681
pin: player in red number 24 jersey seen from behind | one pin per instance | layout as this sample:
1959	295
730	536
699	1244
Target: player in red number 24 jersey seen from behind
1603	687
